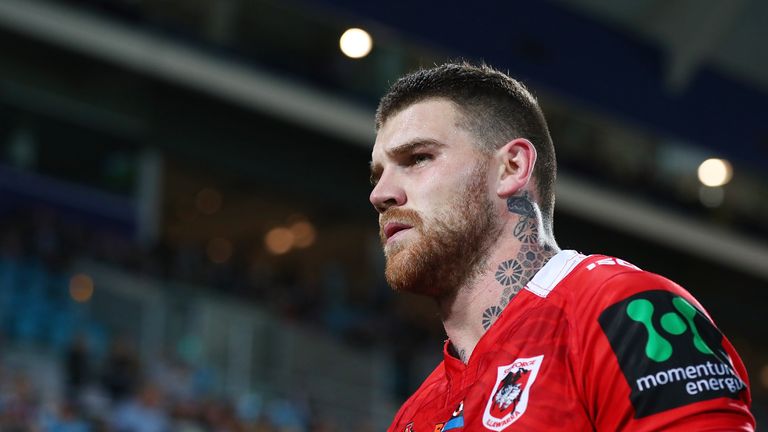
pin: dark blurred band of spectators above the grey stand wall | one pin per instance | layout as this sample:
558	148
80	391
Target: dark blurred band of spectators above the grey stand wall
320	297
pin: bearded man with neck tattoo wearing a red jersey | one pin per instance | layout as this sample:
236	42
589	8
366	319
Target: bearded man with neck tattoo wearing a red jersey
540	339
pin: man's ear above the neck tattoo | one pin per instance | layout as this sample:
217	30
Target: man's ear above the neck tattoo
516	160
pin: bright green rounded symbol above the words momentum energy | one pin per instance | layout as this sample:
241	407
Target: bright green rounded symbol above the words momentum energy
658	348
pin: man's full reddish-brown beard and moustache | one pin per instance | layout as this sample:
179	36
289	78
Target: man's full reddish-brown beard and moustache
449	250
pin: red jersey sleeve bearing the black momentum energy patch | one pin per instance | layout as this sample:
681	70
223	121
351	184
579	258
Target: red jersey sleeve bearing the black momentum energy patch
652	359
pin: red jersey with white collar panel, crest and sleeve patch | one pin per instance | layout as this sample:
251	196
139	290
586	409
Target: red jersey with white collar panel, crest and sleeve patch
591	343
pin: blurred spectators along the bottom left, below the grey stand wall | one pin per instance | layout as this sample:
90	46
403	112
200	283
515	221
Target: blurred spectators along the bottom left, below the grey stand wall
122	395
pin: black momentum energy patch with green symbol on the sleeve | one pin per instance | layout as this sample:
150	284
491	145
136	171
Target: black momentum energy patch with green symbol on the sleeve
669	352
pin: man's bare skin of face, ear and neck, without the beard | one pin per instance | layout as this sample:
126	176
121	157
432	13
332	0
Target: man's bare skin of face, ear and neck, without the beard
421	158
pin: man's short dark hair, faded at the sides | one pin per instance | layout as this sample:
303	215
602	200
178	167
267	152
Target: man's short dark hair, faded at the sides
496	109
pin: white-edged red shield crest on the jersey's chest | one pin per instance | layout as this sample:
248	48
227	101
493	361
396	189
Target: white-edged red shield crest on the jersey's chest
509	397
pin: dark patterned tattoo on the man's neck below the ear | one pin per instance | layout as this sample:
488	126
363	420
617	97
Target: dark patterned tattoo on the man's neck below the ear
514	274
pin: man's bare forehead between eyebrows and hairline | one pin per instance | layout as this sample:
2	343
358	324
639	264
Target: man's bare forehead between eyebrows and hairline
429	120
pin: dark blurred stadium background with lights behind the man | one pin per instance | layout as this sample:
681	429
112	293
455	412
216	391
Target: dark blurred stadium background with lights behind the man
186	241
